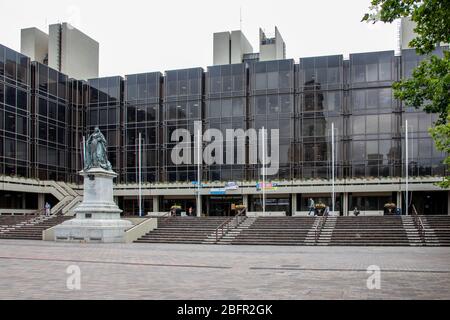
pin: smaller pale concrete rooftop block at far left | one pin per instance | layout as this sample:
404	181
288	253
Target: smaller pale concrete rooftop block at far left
34	44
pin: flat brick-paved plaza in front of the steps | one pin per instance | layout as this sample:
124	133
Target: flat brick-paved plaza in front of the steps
38	270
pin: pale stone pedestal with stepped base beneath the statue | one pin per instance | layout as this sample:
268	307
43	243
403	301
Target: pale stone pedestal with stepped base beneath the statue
97	217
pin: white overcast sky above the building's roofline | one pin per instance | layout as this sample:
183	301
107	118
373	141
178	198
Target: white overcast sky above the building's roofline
143	36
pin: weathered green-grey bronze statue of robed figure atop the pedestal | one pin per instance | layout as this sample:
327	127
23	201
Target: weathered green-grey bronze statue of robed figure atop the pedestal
95	153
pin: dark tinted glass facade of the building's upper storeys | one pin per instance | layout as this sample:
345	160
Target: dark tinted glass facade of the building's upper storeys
44	116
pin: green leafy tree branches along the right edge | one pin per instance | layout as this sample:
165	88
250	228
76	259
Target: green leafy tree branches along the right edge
429	86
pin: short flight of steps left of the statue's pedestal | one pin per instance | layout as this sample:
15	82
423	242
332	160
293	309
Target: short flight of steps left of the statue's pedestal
29	227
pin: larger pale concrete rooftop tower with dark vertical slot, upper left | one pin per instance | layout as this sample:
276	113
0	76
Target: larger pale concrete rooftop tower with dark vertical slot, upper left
79	53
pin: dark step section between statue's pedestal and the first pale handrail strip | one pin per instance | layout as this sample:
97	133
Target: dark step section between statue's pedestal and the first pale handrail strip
183	230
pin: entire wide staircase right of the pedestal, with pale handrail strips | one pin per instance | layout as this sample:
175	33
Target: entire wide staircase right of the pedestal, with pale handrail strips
315	231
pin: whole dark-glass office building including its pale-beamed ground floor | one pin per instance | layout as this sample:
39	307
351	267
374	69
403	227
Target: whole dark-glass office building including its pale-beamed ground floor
44	116
